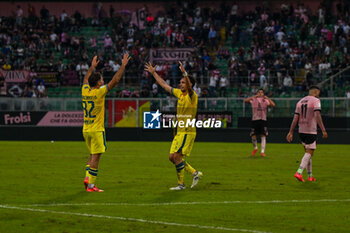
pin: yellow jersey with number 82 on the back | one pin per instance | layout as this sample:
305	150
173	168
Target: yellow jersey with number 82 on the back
93	101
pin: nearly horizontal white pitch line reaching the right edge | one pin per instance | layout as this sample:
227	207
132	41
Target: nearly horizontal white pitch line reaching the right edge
190	203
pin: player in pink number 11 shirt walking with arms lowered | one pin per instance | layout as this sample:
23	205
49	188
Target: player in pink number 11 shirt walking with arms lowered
308	115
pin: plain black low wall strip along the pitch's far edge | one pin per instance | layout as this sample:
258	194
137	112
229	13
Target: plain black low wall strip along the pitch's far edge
336	136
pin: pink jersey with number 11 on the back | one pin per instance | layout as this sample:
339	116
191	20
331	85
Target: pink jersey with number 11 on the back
306	108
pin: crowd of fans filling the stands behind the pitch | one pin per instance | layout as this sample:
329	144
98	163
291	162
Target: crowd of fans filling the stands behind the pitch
281	51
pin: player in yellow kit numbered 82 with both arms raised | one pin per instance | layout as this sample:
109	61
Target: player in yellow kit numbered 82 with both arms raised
93	102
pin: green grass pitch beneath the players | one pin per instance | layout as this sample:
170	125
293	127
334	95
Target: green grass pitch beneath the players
139	172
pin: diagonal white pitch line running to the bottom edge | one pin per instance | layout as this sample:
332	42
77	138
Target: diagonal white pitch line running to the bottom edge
131	219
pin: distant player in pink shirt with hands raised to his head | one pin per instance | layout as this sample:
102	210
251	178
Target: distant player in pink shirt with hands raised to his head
259	103
